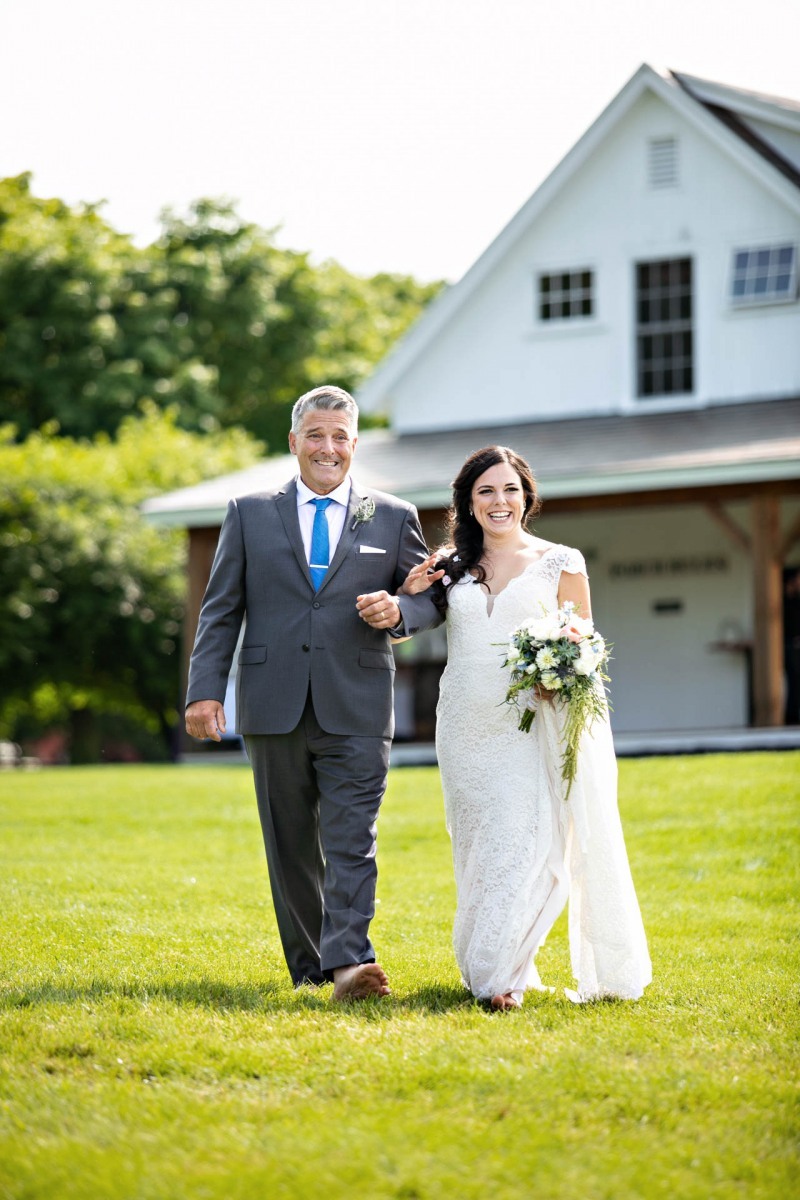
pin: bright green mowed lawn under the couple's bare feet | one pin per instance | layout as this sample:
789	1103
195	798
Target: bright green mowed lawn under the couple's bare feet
152	1045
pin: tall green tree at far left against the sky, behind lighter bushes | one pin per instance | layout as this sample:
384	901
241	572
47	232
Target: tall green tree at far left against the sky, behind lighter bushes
89	326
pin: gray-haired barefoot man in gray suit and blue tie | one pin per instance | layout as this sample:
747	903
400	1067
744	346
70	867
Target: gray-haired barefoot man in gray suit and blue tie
314	571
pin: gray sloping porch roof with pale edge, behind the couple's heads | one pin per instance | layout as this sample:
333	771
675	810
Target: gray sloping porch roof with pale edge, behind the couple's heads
745	443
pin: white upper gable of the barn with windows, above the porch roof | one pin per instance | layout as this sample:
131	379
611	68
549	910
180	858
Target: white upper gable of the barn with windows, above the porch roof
551	322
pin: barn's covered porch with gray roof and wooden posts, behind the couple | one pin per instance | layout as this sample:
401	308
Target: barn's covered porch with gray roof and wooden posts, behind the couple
691	527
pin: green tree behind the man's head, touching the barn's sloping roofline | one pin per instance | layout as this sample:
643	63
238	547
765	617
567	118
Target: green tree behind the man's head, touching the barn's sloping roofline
273	325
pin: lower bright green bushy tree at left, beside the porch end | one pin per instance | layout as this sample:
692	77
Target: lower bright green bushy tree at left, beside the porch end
92	598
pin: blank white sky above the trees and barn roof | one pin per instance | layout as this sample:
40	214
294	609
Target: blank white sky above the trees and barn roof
392	135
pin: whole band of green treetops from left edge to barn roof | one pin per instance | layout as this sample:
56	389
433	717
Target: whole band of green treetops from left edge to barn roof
213	321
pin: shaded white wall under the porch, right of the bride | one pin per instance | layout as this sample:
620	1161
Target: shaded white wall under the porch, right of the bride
666	674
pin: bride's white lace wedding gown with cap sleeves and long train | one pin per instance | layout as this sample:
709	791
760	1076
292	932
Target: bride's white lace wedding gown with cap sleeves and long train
520	850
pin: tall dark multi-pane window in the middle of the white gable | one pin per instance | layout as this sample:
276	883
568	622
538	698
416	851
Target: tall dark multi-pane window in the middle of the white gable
664	328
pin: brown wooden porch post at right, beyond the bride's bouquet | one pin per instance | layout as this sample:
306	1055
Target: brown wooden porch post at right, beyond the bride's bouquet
768	634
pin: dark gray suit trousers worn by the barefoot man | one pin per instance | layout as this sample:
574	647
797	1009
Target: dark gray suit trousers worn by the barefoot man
318	800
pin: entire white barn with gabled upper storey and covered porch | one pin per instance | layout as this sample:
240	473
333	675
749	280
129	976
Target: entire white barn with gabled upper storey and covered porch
635	332
